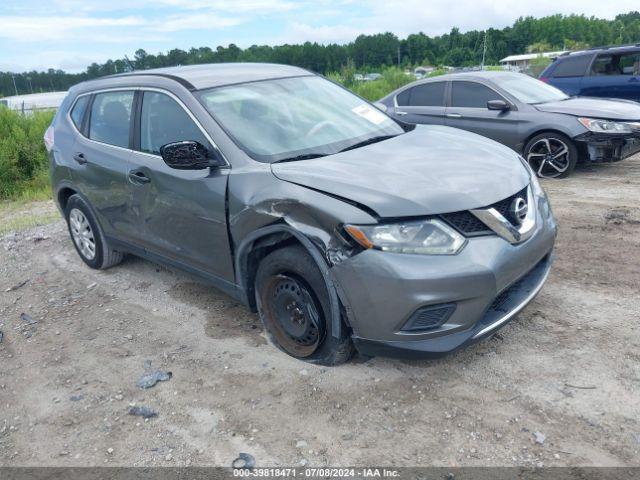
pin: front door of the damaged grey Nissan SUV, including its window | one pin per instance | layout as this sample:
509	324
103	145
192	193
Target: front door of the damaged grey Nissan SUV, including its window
180	214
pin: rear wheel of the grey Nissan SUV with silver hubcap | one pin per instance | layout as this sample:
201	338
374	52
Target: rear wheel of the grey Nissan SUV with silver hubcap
87	237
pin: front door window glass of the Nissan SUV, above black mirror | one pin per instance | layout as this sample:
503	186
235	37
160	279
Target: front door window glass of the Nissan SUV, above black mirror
164	121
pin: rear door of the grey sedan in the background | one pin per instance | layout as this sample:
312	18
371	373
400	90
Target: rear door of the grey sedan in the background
423	103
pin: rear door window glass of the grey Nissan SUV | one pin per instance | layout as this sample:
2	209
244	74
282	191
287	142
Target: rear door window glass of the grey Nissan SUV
111	118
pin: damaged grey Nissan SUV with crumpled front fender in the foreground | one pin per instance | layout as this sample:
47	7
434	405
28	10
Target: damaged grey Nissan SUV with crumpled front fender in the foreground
341	227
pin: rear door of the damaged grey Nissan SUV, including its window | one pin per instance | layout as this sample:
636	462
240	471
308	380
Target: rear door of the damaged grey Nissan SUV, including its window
101	156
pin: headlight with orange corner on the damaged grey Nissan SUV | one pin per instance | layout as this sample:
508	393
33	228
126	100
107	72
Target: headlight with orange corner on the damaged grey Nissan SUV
427	237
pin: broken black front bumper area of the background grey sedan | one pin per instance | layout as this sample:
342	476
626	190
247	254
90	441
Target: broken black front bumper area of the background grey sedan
608	147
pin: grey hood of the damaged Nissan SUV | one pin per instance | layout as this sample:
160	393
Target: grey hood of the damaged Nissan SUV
430	170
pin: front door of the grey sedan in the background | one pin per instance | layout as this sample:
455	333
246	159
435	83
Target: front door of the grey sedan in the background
468	111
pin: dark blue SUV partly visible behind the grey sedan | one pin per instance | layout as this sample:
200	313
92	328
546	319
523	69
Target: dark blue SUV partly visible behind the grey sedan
611	72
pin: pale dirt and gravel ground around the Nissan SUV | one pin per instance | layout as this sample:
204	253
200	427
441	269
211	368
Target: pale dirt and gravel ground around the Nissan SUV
560	385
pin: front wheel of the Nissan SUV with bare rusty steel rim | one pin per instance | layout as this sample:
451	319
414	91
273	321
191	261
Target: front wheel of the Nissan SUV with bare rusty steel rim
294	306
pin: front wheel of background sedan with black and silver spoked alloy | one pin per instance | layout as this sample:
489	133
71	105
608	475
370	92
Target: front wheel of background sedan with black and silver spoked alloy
551	155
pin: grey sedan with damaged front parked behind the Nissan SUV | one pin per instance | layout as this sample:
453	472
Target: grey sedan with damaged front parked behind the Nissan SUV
551	130
